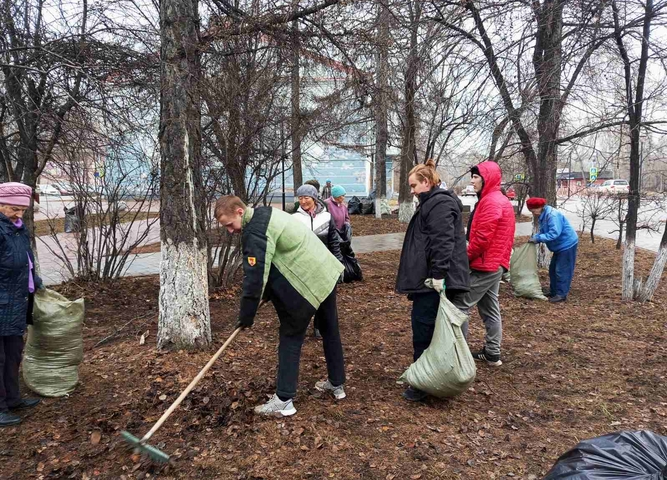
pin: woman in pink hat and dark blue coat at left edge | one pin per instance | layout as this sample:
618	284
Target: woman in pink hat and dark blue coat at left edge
18	283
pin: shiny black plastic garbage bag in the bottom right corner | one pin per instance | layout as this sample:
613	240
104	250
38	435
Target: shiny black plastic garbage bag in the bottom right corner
640	455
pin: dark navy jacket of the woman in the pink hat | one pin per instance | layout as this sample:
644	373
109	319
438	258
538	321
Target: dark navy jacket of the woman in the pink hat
14	294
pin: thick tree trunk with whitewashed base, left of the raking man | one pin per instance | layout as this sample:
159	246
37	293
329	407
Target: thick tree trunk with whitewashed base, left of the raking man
184	319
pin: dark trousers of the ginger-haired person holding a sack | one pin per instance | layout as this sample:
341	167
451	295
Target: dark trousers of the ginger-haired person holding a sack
424	312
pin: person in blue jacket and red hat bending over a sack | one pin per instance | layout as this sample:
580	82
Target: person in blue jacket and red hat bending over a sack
559	236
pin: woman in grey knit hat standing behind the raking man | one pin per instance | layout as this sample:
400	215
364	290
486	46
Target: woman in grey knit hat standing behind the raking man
314	215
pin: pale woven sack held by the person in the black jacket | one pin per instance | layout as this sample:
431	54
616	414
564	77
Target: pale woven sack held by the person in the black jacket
446	368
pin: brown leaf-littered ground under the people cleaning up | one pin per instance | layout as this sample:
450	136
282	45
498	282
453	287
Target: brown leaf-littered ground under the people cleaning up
572	371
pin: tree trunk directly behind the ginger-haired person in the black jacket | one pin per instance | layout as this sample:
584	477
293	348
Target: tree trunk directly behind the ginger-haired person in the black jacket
409	145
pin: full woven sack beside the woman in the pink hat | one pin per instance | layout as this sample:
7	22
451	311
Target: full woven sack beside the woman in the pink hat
55	345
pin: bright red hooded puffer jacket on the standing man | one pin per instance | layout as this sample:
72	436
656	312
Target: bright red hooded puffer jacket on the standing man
491	233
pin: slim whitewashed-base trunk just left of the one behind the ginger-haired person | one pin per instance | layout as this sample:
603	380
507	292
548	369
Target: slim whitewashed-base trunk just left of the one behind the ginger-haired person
381	107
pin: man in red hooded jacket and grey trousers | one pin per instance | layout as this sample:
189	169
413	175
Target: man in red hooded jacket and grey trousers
490	241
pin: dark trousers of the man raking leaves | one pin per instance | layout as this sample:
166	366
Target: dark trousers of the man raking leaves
289	349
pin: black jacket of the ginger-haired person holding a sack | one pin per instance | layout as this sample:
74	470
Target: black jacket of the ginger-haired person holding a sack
434	245
